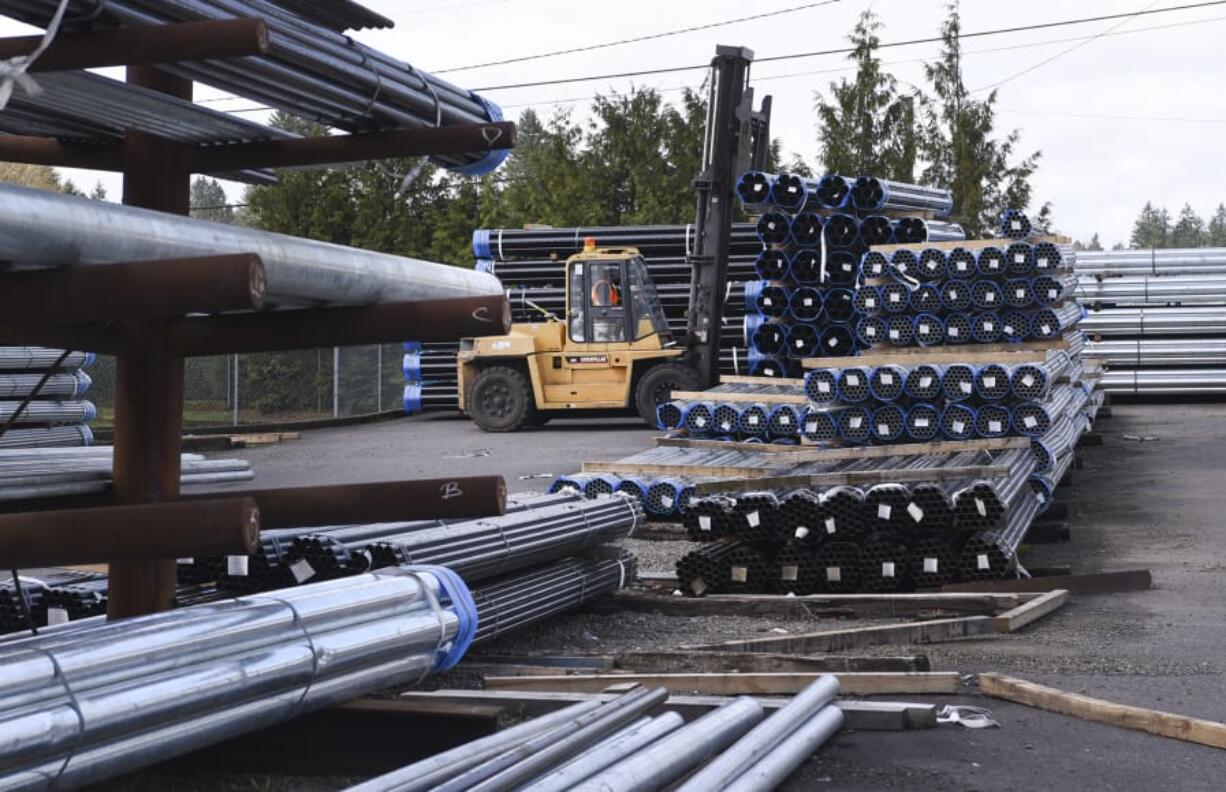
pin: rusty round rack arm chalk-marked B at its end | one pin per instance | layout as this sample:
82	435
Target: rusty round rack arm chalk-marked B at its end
381	502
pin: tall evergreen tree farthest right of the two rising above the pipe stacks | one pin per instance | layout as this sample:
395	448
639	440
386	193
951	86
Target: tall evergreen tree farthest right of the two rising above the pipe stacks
961	150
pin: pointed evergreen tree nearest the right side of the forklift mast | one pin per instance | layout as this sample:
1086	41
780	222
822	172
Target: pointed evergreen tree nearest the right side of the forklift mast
867	128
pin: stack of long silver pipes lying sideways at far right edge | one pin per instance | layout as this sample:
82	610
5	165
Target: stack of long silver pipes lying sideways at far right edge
1158	319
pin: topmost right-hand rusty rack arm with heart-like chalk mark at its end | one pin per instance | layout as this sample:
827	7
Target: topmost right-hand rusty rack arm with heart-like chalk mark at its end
340	149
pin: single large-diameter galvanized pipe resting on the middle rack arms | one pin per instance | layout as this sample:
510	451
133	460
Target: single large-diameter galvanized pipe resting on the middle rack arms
45	229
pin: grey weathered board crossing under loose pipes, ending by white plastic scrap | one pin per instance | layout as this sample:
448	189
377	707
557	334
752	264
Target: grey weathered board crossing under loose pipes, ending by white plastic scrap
860	715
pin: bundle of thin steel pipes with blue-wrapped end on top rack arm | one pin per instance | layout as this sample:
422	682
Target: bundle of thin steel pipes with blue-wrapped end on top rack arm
310	70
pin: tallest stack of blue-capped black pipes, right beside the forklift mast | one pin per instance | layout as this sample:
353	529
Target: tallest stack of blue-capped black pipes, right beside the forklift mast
813	235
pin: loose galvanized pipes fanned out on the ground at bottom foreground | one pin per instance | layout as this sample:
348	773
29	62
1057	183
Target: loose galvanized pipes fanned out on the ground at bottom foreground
620	746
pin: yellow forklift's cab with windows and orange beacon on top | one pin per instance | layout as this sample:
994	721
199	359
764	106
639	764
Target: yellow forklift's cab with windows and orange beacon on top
611	299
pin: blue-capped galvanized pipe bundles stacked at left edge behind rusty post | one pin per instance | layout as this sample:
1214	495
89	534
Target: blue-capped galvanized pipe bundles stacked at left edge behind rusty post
59	415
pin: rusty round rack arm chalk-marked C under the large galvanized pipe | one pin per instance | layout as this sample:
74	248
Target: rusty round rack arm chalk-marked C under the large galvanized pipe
387	323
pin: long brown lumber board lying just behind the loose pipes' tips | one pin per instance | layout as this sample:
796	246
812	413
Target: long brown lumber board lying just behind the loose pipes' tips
779	683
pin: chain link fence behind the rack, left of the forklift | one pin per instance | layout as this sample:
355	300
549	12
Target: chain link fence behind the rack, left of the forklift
276	387
